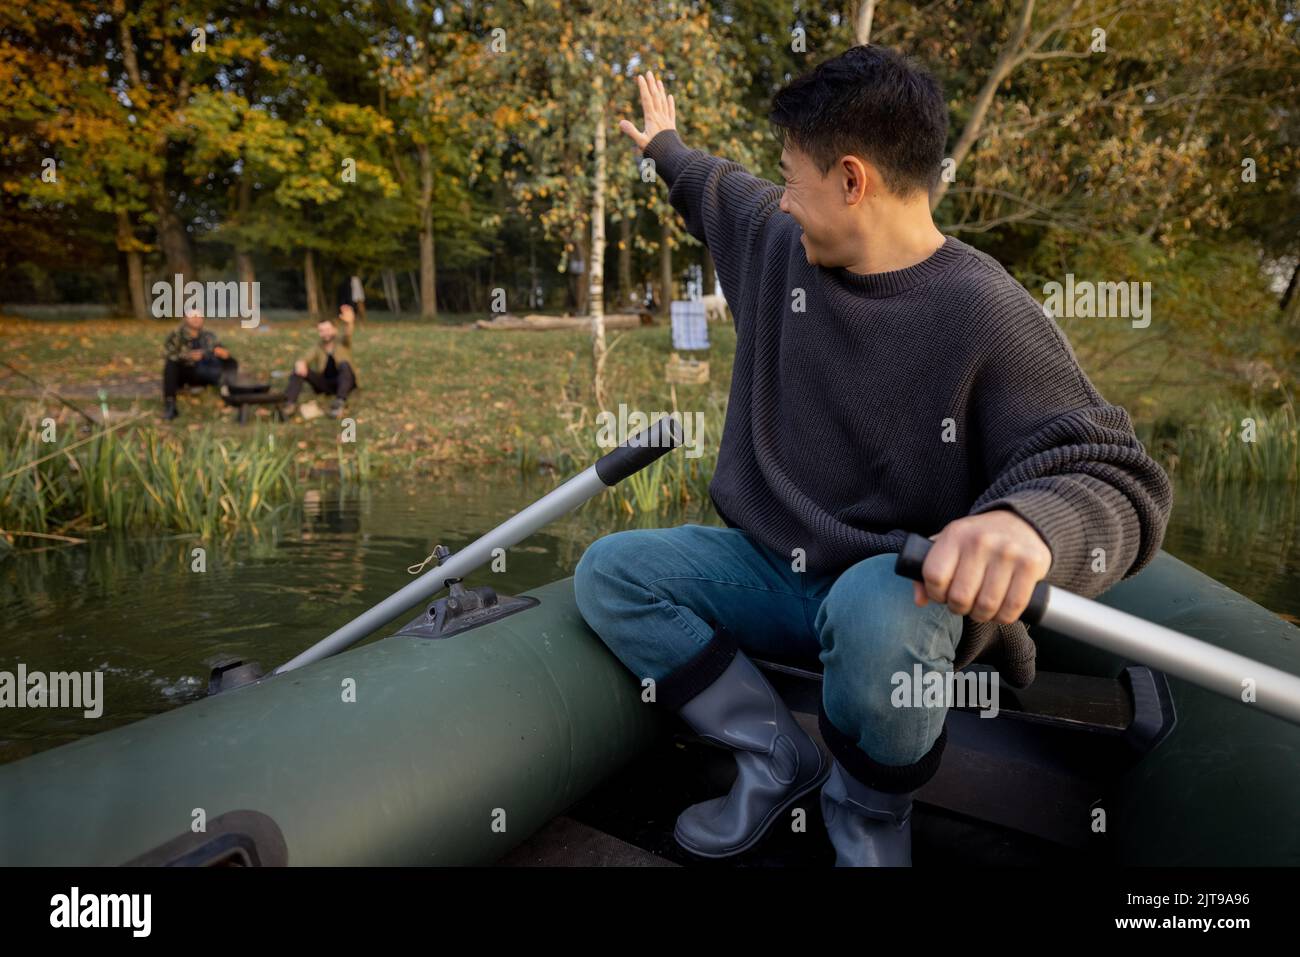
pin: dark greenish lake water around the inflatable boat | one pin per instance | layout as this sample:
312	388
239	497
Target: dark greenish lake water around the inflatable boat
133	609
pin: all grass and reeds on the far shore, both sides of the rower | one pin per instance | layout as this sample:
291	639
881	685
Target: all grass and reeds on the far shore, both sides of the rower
1211	396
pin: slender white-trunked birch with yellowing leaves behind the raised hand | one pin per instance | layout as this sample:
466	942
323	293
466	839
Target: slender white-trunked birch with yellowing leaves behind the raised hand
566	71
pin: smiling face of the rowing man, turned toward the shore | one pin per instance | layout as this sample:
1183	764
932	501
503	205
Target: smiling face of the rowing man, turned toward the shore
820	205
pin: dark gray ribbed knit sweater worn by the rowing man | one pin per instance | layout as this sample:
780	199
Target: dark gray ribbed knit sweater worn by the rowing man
899	402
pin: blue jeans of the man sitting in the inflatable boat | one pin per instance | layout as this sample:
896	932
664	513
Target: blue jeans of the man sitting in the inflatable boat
657	599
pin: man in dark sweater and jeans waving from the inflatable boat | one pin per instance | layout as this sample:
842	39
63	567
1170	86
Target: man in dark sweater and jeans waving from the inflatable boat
889	379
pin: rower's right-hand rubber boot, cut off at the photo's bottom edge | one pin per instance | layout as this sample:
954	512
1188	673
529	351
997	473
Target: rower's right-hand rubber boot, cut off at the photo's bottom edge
868	828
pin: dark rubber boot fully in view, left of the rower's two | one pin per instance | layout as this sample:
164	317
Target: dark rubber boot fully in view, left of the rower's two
777	761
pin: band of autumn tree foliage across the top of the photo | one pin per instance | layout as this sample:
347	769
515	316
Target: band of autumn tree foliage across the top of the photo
456	142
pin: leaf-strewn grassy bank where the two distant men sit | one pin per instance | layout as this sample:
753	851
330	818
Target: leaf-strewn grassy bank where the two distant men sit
432	399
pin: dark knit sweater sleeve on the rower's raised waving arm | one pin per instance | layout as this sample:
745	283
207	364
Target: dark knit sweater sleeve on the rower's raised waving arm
726	207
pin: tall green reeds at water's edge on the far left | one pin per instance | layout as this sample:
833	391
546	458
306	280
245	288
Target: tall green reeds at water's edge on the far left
138	479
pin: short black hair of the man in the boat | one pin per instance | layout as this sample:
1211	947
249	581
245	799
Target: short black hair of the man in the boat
874	103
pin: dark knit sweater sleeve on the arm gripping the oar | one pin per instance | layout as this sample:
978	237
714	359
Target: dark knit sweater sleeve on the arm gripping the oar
1067	462
